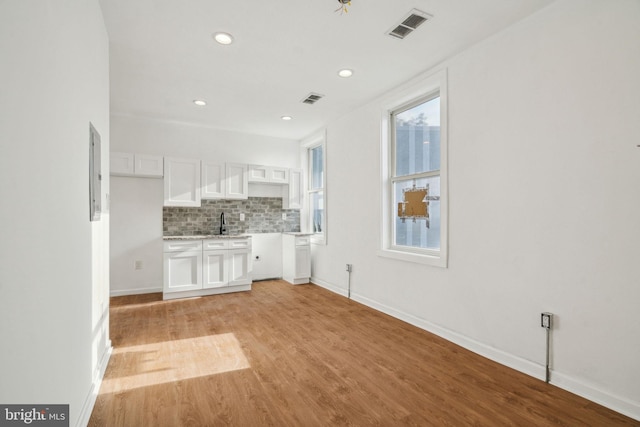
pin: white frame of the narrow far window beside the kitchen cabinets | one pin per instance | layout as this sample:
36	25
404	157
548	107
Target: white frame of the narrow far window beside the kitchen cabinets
318	140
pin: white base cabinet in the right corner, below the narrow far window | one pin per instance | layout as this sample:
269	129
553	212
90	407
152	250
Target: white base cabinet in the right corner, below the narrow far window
296	258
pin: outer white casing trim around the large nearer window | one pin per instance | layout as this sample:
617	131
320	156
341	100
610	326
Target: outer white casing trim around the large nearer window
435	81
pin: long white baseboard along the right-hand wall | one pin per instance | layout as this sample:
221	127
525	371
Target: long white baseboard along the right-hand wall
616	403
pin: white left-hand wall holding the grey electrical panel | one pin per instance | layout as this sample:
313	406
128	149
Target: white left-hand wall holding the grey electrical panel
53	260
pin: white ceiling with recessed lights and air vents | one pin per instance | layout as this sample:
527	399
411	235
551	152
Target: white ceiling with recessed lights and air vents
163	56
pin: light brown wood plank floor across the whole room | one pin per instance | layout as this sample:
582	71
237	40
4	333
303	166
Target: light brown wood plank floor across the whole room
284	355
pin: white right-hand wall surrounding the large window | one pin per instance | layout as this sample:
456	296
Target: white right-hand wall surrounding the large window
544	203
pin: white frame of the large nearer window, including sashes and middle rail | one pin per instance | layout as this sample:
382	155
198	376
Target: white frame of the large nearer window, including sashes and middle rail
411	96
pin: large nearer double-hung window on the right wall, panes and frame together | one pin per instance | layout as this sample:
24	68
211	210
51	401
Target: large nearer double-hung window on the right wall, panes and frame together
414	197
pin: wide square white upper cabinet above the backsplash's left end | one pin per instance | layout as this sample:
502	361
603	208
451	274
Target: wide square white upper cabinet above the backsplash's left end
181	182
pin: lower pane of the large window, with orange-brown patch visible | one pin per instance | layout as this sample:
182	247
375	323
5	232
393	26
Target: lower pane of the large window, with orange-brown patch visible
417	213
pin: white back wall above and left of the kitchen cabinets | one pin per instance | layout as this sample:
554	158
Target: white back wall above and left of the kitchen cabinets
136	216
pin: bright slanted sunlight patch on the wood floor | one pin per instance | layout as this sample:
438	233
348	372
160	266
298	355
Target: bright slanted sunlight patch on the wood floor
169	361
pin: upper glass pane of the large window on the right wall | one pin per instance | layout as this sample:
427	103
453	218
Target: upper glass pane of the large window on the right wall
417	138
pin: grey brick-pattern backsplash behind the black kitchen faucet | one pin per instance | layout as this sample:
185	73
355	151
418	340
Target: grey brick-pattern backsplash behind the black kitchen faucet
262	215
